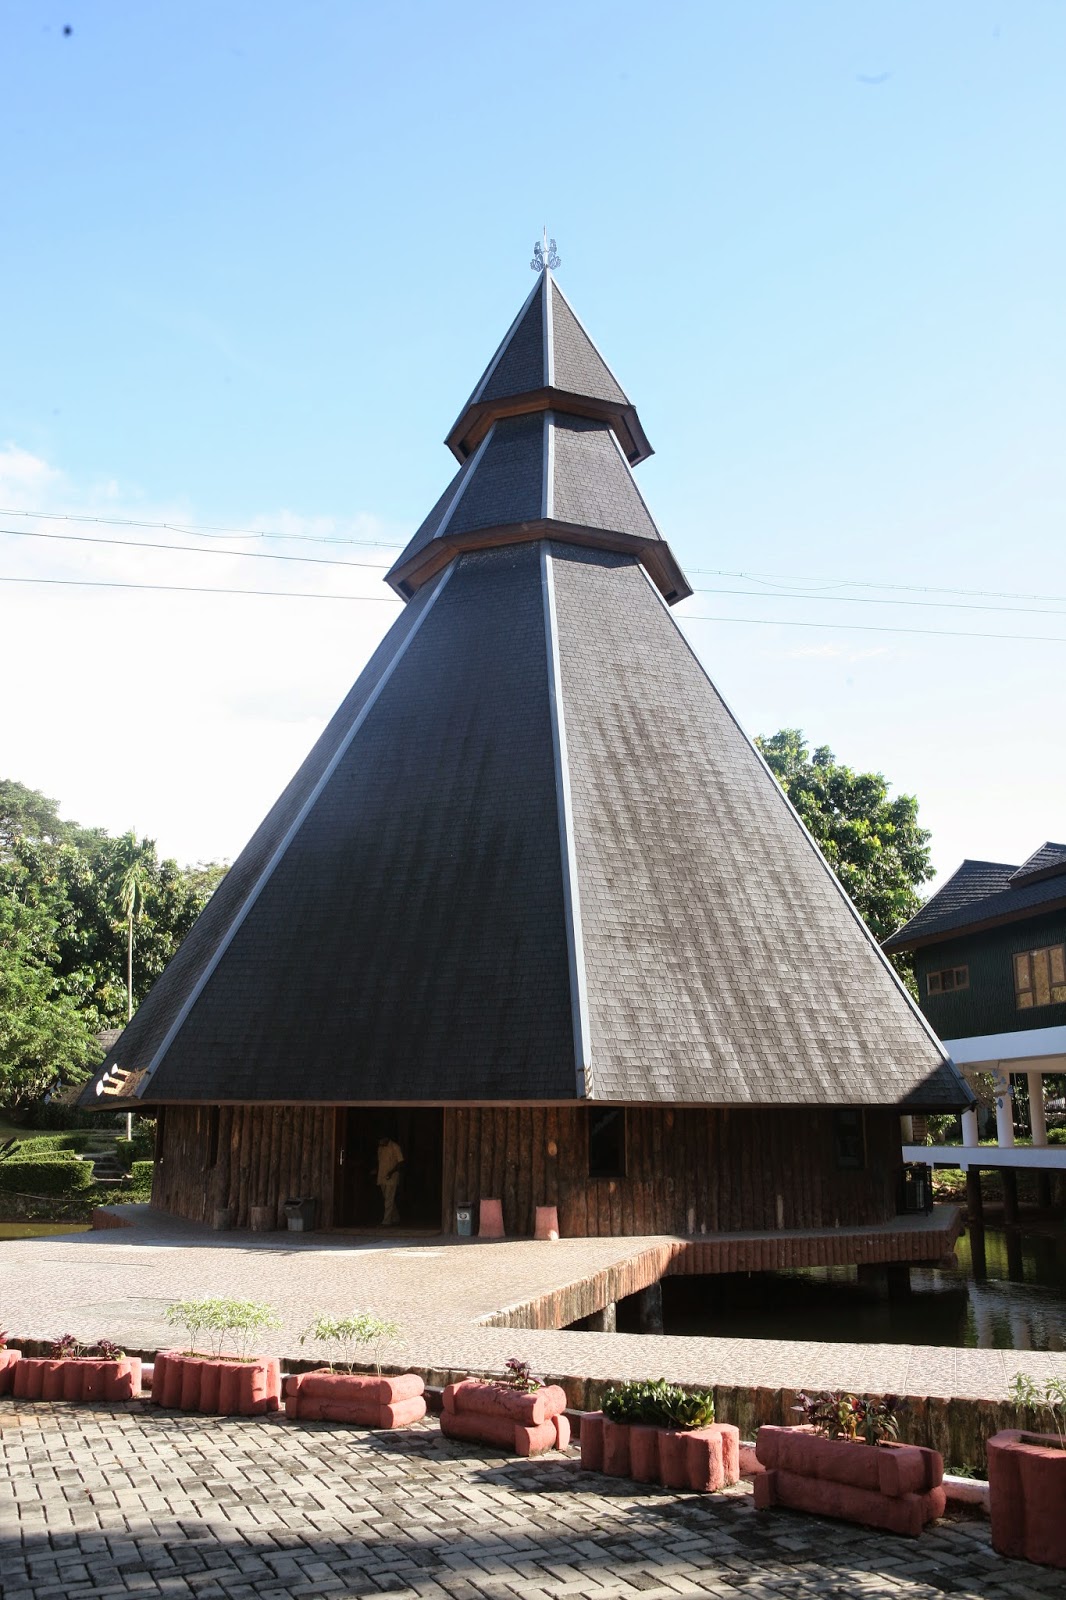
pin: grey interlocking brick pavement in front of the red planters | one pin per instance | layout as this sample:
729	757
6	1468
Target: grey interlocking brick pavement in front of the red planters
132	1503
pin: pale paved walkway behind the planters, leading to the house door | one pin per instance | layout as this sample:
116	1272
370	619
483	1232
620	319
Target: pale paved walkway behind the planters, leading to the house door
118	1286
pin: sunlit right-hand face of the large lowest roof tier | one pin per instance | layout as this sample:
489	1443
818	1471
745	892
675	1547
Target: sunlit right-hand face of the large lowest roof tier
724	962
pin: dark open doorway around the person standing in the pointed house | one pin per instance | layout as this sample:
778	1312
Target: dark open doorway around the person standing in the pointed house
419	1132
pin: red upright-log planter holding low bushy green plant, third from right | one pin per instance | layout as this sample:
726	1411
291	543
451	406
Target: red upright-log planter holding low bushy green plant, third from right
699	1458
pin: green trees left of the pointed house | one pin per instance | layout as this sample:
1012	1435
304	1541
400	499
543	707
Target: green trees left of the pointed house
71	902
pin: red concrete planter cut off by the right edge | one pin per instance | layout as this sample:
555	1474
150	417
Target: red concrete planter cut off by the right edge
1027	1479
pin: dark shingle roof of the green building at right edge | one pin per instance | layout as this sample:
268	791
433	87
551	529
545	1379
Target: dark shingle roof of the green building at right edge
982	894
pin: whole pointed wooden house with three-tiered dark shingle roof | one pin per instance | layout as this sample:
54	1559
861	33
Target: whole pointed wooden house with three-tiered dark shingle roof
534	906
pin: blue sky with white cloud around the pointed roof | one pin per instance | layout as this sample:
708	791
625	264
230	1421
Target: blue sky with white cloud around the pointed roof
254	258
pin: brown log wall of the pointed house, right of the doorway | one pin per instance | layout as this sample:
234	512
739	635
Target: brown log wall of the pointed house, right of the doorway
687	1170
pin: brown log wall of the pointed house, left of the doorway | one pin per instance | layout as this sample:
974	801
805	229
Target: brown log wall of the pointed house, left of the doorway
242	1158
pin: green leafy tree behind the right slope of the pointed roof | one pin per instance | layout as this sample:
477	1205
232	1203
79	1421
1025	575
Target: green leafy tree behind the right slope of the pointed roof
873	842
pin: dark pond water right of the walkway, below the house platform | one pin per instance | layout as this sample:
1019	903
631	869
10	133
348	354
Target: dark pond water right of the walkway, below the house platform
1019	1303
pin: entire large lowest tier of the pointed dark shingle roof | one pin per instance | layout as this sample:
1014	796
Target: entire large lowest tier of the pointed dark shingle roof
412	937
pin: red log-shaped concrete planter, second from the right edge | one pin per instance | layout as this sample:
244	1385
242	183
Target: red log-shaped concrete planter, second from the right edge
894	1487
